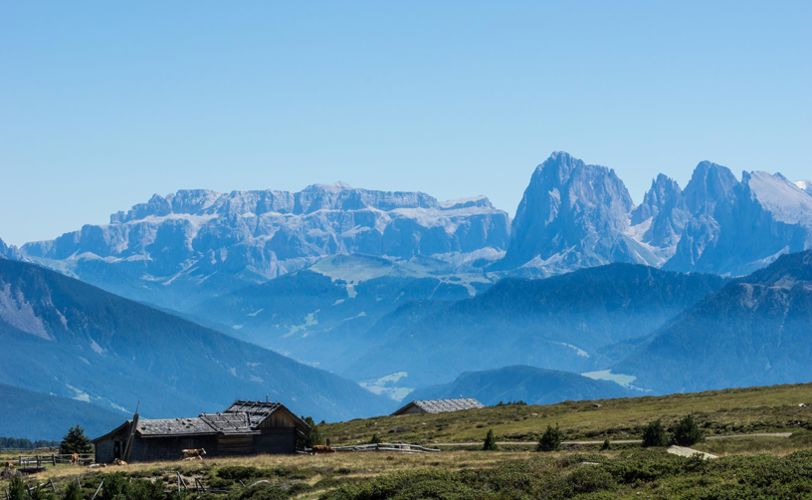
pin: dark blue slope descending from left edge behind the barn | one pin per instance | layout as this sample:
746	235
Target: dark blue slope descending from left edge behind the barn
68	338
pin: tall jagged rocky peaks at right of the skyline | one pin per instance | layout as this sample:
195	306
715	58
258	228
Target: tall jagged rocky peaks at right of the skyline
576	215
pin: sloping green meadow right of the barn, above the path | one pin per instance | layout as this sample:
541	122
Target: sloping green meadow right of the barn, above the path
761	409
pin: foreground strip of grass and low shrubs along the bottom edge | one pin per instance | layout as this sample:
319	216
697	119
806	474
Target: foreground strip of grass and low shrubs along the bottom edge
638	473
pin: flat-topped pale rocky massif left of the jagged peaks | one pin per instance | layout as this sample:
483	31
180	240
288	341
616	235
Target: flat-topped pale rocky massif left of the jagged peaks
195	244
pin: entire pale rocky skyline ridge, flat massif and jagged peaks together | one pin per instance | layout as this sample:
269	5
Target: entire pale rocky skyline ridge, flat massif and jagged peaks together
188	247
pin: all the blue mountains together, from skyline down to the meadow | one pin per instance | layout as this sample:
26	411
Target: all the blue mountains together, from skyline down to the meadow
697	287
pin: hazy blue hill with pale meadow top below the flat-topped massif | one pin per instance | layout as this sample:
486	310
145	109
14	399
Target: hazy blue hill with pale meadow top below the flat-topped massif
319	315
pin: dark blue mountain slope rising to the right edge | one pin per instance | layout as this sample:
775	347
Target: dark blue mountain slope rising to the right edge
756	330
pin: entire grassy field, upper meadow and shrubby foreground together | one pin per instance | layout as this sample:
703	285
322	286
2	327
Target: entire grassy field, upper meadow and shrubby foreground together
749	467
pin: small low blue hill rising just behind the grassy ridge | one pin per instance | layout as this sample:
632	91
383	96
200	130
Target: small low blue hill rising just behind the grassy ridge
522	383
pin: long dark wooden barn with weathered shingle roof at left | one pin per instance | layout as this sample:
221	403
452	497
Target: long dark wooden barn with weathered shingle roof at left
244	428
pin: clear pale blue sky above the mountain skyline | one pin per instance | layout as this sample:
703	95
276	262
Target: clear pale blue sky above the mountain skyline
104	103
